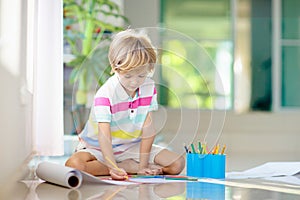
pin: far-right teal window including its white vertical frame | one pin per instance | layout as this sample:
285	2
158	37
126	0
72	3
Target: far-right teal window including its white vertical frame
286	51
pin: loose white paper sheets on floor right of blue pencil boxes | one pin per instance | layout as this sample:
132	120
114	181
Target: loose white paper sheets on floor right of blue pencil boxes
270	169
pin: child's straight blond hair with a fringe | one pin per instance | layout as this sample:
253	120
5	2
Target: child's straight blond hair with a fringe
130	50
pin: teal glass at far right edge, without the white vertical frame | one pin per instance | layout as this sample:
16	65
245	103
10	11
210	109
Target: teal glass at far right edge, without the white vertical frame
290	51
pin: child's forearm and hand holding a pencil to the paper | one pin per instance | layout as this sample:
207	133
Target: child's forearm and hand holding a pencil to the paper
104	138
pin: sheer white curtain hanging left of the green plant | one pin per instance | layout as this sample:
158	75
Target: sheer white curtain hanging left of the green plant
48	78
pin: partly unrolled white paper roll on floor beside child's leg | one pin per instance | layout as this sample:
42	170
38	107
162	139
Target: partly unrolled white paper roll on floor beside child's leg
69	177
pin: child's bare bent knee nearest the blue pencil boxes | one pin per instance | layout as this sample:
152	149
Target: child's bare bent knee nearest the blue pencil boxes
171	162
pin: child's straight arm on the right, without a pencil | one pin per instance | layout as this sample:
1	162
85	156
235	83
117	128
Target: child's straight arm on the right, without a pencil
148	136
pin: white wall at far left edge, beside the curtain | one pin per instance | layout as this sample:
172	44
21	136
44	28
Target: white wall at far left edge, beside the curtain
15	102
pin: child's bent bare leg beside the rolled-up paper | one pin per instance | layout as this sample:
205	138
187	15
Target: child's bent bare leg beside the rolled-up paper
85	161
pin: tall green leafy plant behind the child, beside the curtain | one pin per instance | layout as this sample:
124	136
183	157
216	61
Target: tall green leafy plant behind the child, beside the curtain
87	28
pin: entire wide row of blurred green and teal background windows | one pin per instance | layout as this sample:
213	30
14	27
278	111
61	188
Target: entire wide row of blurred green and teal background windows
223	28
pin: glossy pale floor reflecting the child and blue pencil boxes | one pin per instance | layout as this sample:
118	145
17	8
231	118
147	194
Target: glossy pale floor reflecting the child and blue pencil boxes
31	188
